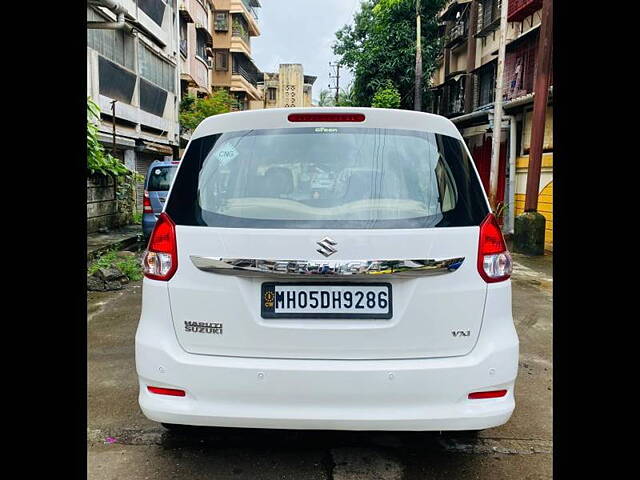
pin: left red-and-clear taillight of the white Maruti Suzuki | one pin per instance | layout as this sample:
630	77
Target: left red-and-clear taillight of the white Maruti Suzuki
161	258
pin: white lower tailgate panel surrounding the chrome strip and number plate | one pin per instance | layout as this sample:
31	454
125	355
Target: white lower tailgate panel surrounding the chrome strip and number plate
433	316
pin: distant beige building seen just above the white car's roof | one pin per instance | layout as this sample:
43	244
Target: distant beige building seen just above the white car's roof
289	87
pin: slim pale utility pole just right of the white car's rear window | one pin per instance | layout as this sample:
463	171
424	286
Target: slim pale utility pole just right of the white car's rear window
497	108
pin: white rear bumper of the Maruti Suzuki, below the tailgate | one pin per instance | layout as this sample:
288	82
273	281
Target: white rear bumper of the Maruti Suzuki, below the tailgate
408	394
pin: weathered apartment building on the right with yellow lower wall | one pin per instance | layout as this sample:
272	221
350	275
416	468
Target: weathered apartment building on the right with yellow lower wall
463	89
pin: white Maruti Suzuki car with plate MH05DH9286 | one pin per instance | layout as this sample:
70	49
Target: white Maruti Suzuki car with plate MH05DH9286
327	268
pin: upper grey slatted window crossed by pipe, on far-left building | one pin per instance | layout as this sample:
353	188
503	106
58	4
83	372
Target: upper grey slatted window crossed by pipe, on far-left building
114	45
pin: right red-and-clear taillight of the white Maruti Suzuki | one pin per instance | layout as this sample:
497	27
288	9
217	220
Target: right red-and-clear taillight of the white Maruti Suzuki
494	260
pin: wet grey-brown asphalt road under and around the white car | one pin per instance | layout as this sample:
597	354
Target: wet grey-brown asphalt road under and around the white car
123	444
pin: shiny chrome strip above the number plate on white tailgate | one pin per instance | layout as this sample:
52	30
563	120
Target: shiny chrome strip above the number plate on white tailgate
297	268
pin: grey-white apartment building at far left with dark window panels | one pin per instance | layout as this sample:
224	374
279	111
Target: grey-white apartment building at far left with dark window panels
133	60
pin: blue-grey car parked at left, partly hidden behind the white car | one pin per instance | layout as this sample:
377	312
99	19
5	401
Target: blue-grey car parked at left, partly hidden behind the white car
156	187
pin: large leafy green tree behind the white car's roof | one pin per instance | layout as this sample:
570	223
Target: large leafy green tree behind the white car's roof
380	45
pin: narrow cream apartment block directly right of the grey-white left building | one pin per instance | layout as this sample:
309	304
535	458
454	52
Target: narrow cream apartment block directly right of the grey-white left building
196	46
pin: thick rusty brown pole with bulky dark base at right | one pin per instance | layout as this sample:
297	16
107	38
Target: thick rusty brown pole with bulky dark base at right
529	228
